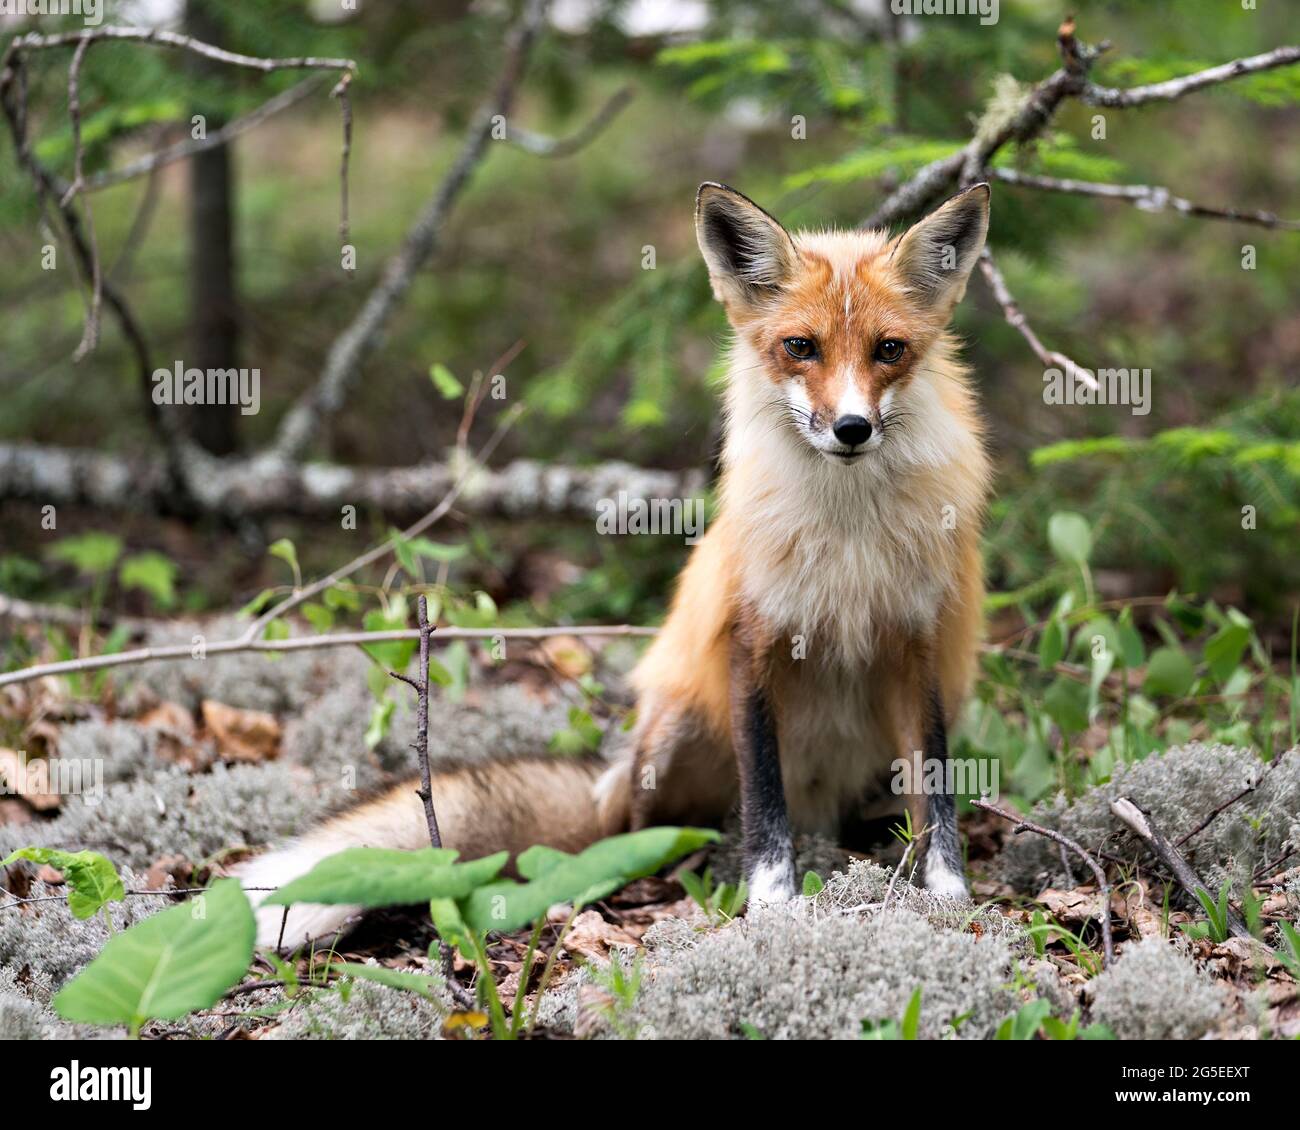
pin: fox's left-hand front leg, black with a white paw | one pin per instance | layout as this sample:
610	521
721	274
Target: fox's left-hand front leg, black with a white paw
765	821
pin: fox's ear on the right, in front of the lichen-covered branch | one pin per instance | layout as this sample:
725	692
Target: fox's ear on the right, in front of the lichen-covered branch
937	256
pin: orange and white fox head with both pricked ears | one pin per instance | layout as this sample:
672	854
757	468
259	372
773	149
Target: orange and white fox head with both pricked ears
840	331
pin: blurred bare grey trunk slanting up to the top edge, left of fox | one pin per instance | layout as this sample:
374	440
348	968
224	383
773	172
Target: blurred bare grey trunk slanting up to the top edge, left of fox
302	423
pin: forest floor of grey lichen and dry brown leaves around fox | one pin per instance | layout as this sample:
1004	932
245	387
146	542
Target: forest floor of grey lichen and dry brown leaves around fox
201	765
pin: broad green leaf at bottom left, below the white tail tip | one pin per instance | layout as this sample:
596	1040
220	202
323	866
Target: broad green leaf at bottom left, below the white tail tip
170	966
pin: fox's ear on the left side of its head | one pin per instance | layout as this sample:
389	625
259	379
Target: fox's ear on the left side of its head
748	253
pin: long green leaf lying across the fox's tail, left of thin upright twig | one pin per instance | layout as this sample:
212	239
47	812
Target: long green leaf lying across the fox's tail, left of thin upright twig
383	877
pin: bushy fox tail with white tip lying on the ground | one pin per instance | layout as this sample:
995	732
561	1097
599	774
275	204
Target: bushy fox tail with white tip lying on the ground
482	809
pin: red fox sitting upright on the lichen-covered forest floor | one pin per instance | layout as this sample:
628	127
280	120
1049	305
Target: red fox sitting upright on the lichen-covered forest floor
826	626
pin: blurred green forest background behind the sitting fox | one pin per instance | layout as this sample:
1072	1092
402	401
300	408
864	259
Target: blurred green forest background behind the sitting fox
1107	523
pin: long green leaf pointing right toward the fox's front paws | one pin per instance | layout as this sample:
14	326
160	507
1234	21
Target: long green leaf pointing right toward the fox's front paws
592	874
